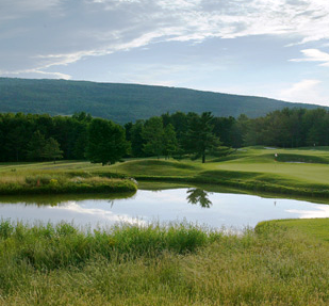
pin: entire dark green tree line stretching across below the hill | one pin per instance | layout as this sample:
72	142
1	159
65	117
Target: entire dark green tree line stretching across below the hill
179	135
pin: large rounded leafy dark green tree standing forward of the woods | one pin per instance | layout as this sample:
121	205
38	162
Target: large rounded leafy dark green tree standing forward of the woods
106	142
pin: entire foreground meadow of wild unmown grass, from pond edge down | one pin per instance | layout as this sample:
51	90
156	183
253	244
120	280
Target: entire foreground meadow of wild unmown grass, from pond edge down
177	265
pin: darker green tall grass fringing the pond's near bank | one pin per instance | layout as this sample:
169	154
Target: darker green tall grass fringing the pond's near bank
48	247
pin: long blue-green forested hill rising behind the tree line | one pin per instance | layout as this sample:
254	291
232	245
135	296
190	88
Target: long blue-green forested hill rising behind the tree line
125	102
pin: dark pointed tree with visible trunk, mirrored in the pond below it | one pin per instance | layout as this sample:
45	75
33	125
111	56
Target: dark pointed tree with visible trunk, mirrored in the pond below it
200	137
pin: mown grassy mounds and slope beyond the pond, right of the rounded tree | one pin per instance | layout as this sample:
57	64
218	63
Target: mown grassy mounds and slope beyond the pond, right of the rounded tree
253	168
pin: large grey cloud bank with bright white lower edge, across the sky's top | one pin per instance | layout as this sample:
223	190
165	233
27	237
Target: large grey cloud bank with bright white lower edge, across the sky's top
52	33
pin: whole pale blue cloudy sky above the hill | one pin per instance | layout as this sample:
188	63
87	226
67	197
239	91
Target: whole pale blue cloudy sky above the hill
271	48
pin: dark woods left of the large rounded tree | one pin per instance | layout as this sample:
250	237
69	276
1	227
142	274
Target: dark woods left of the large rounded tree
42	137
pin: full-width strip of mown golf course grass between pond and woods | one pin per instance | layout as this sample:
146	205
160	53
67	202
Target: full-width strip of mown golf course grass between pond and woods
295	171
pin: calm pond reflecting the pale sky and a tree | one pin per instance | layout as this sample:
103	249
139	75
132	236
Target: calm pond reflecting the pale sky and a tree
162	203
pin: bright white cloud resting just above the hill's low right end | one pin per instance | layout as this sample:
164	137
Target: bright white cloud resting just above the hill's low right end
305	91
